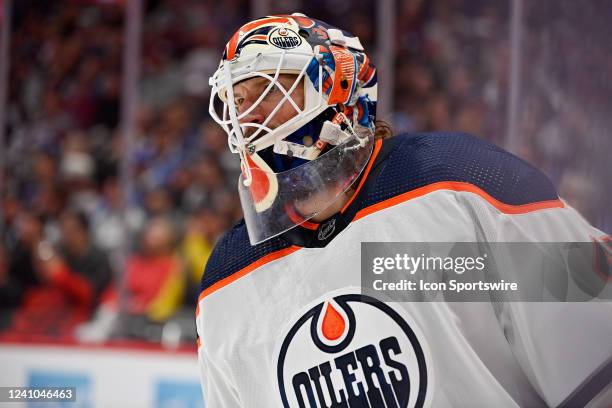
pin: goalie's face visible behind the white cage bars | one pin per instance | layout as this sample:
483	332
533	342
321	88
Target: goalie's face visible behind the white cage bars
247	92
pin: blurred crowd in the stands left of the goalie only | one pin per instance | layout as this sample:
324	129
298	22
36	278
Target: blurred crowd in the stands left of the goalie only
70	257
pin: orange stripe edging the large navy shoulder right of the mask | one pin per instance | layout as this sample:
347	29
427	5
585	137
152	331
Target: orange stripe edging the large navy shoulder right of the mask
459	186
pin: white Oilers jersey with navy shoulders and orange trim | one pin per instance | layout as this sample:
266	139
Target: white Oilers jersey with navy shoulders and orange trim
282	324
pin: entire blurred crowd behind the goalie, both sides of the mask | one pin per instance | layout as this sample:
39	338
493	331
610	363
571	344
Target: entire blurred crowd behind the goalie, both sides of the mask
74	265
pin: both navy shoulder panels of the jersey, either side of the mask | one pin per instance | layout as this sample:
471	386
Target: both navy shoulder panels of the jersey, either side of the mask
407	162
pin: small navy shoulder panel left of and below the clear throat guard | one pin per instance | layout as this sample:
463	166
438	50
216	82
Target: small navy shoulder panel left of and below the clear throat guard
234	252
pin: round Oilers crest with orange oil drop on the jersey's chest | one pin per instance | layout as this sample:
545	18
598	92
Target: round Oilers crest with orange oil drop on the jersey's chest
352	350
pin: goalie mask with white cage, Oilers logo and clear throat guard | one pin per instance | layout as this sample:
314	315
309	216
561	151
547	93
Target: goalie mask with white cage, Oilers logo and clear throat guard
294	169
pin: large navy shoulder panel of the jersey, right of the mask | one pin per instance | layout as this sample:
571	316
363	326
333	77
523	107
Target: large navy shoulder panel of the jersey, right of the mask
420	159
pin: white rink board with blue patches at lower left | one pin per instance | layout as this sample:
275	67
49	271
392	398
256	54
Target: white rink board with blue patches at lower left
107	377
